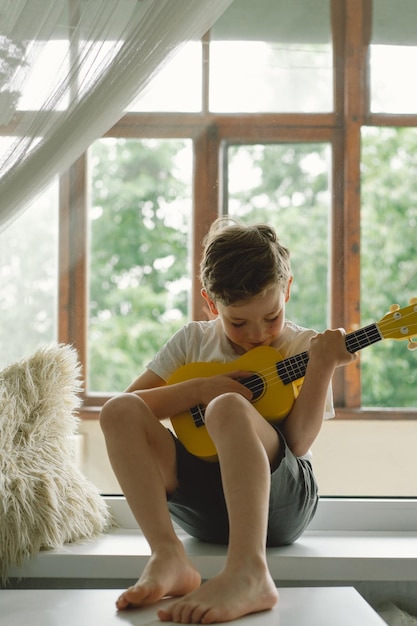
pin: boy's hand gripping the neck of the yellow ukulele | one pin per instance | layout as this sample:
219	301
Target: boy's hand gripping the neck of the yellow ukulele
328	349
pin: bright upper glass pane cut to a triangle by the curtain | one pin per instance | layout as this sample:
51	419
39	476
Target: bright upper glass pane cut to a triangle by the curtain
178	86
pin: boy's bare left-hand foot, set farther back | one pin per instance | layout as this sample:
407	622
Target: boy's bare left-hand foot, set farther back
166	574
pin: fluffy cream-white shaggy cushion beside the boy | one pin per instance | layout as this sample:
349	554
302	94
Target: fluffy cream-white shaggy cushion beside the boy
45	501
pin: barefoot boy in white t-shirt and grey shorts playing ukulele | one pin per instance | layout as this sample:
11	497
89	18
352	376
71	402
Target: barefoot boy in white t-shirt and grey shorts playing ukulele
261	490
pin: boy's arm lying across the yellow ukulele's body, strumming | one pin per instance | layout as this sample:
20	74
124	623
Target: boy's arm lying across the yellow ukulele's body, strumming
168	400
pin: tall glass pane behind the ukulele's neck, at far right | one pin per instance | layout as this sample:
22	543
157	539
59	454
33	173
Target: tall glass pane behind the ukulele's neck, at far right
389	262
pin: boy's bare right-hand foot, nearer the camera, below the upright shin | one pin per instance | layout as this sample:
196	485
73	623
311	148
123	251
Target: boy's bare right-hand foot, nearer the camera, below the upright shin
224	598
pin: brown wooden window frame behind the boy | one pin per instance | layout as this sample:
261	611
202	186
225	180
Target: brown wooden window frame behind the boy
210	133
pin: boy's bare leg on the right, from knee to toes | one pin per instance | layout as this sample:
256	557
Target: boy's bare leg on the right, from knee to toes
247	446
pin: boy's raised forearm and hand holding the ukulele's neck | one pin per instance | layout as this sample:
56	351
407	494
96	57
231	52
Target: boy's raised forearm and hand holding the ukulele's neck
302	425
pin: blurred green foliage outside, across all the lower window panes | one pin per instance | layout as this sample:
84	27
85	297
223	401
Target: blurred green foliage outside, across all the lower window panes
140	226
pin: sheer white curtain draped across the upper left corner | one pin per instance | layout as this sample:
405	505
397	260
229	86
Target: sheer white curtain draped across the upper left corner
68	68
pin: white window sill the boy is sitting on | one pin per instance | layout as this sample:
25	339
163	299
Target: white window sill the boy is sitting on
348	541
